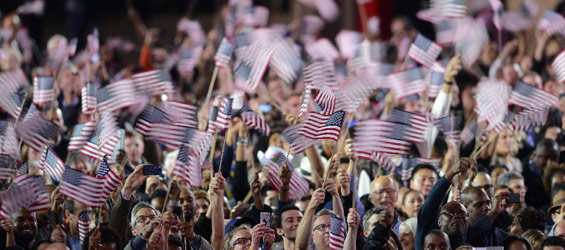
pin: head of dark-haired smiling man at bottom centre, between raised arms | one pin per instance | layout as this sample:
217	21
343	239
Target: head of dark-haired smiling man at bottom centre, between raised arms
288	219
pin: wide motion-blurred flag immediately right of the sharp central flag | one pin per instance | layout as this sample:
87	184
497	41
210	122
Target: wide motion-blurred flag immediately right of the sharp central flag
376	135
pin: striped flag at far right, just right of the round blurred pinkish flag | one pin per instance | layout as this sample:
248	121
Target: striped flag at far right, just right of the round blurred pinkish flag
530	97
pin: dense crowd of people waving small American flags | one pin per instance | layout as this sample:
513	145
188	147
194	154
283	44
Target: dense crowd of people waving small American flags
489	181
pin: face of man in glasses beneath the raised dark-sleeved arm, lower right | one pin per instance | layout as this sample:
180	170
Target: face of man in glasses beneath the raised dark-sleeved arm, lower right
453	219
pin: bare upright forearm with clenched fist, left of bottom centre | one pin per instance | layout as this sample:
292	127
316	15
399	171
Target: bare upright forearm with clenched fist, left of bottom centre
217	185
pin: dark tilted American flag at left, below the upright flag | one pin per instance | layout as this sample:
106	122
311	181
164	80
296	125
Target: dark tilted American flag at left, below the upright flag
37	131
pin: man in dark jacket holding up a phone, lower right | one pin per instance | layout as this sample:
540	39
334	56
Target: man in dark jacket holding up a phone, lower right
481	216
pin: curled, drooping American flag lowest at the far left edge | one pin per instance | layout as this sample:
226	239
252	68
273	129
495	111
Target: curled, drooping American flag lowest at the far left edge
40	201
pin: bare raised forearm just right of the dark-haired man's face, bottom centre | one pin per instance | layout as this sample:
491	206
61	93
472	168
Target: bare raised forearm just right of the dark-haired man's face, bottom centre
304	231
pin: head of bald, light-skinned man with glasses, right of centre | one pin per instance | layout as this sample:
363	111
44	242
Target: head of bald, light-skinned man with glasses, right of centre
384	193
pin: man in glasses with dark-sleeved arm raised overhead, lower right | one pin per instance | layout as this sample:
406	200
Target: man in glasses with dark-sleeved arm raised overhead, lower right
451	215
